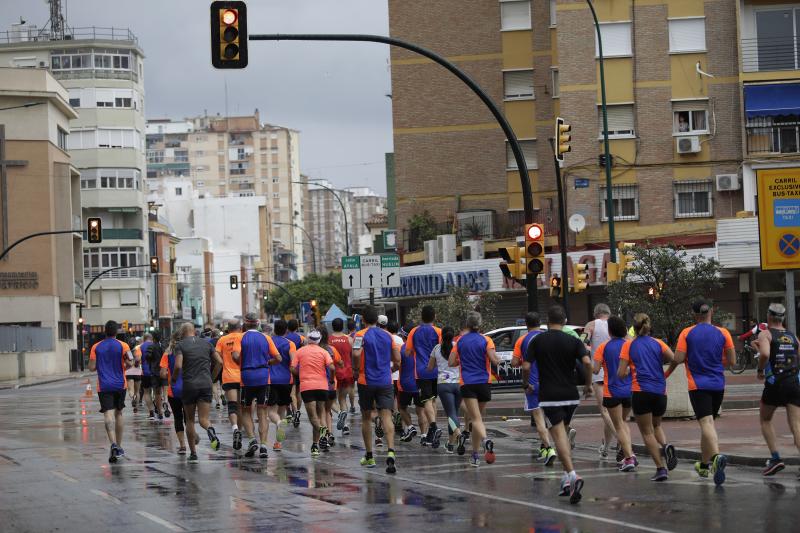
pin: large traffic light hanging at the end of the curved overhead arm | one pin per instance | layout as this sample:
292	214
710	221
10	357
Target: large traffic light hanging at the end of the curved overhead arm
228	34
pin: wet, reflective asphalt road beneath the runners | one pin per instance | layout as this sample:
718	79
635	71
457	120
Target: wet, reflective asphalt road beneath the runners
54	476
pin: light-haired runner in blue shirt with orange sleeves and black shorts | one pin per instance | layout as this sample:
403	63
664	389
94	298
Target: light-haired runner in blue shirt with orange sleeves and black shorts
645	356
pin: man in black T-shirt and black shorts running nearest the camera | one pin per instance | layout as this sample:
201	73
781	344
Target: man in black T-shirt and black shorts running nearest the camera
555	353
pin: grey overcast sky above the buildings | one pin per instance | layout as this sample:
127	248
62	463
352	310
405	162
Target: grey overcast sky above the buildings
334	93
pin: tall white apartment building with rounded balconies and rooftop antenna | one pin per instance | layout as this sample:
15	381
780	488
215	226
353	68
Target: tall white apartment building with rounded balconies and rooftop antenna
102	70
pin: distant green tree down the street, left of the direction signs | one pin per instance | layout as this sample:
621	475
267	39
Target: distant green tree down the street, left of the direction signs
325	289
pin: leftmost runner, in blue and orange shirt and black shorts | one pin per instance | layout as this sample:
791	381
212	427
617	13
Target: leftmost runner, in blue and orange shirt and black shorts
110	357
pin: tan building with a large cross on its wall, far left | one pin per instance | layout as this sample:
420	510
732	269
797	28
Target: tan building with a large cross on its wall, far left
40	279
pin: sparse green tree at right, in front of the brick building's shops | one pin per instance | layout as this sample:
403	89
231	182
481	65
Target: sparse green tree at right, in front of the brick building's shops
662	282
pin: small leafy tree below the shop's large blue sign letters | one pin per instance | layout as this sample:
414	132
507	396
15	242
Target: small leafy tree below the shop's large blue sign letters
452	310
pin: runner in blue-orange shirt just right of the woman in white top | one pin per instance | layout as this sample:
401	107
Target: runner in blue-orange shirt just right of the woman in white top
475	354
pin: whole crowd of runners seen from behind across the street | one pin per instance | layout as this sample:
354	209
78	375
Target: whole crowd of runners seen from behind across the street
265	378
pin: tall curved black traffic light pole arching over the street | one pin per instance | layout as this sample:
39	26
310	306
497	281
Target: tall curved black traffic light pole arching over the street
522	167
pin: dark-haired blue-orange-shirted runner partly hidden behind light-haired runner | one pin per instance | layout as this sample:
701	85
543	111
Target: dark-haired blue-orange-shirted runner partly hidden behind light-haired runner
616	389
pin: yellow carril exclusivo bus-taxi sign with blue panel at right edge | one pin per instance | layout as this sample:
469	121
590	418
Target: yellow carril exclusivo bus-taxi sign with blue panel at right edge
779	218
